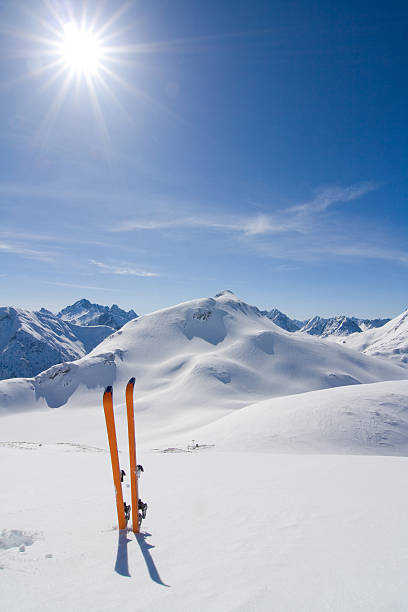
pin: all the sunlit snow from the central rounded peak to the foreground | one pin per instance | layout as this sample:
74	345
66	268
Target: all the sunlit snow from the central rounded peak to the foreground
289	503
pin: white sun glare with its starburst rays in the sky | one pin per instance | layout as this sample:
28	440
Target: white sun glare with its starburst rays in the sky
74	52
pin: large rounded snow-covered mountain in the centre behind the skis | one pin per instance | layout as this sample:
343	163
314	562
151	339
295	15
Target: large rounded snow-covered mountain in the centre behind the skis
197	359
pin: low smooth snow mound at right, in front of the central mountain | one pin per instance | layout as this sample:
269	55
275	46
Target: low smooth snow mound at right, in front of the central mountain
362	419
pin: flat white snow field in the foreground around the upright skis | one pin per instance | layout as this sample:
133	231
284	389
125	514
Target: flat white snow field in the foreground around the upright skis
227	531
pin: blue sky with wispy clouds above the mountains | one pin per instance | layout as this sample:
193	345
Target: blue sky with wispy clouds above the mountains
256	146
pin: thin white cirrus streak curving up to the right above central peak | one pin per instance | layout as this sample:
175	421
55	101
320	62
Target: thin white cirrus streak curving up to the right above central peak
296	218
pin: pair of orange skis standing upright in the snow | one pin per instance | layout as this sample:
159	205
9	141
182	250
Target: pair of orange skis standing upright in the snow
113	447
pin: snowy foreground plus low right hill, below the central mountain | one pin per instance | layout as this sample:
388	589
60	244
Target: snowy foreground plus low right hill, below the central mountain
226	529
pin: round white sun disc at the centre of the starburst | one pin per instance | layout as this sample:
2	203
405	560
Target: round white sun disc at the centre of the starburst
81	51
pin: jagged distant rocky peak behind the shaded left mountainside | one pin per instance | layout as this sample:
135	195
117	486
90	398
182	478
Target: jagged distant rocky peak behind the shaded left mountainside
83	312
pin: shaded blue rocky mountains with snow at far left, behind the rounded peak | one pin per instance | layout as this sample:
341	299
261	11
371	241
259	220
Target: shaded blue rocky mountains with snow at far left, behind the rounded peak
31	342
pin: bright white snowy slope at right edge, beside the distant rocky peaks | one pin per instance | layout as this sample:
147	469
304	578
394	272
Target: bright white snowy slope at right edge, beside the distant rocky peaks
388	342
